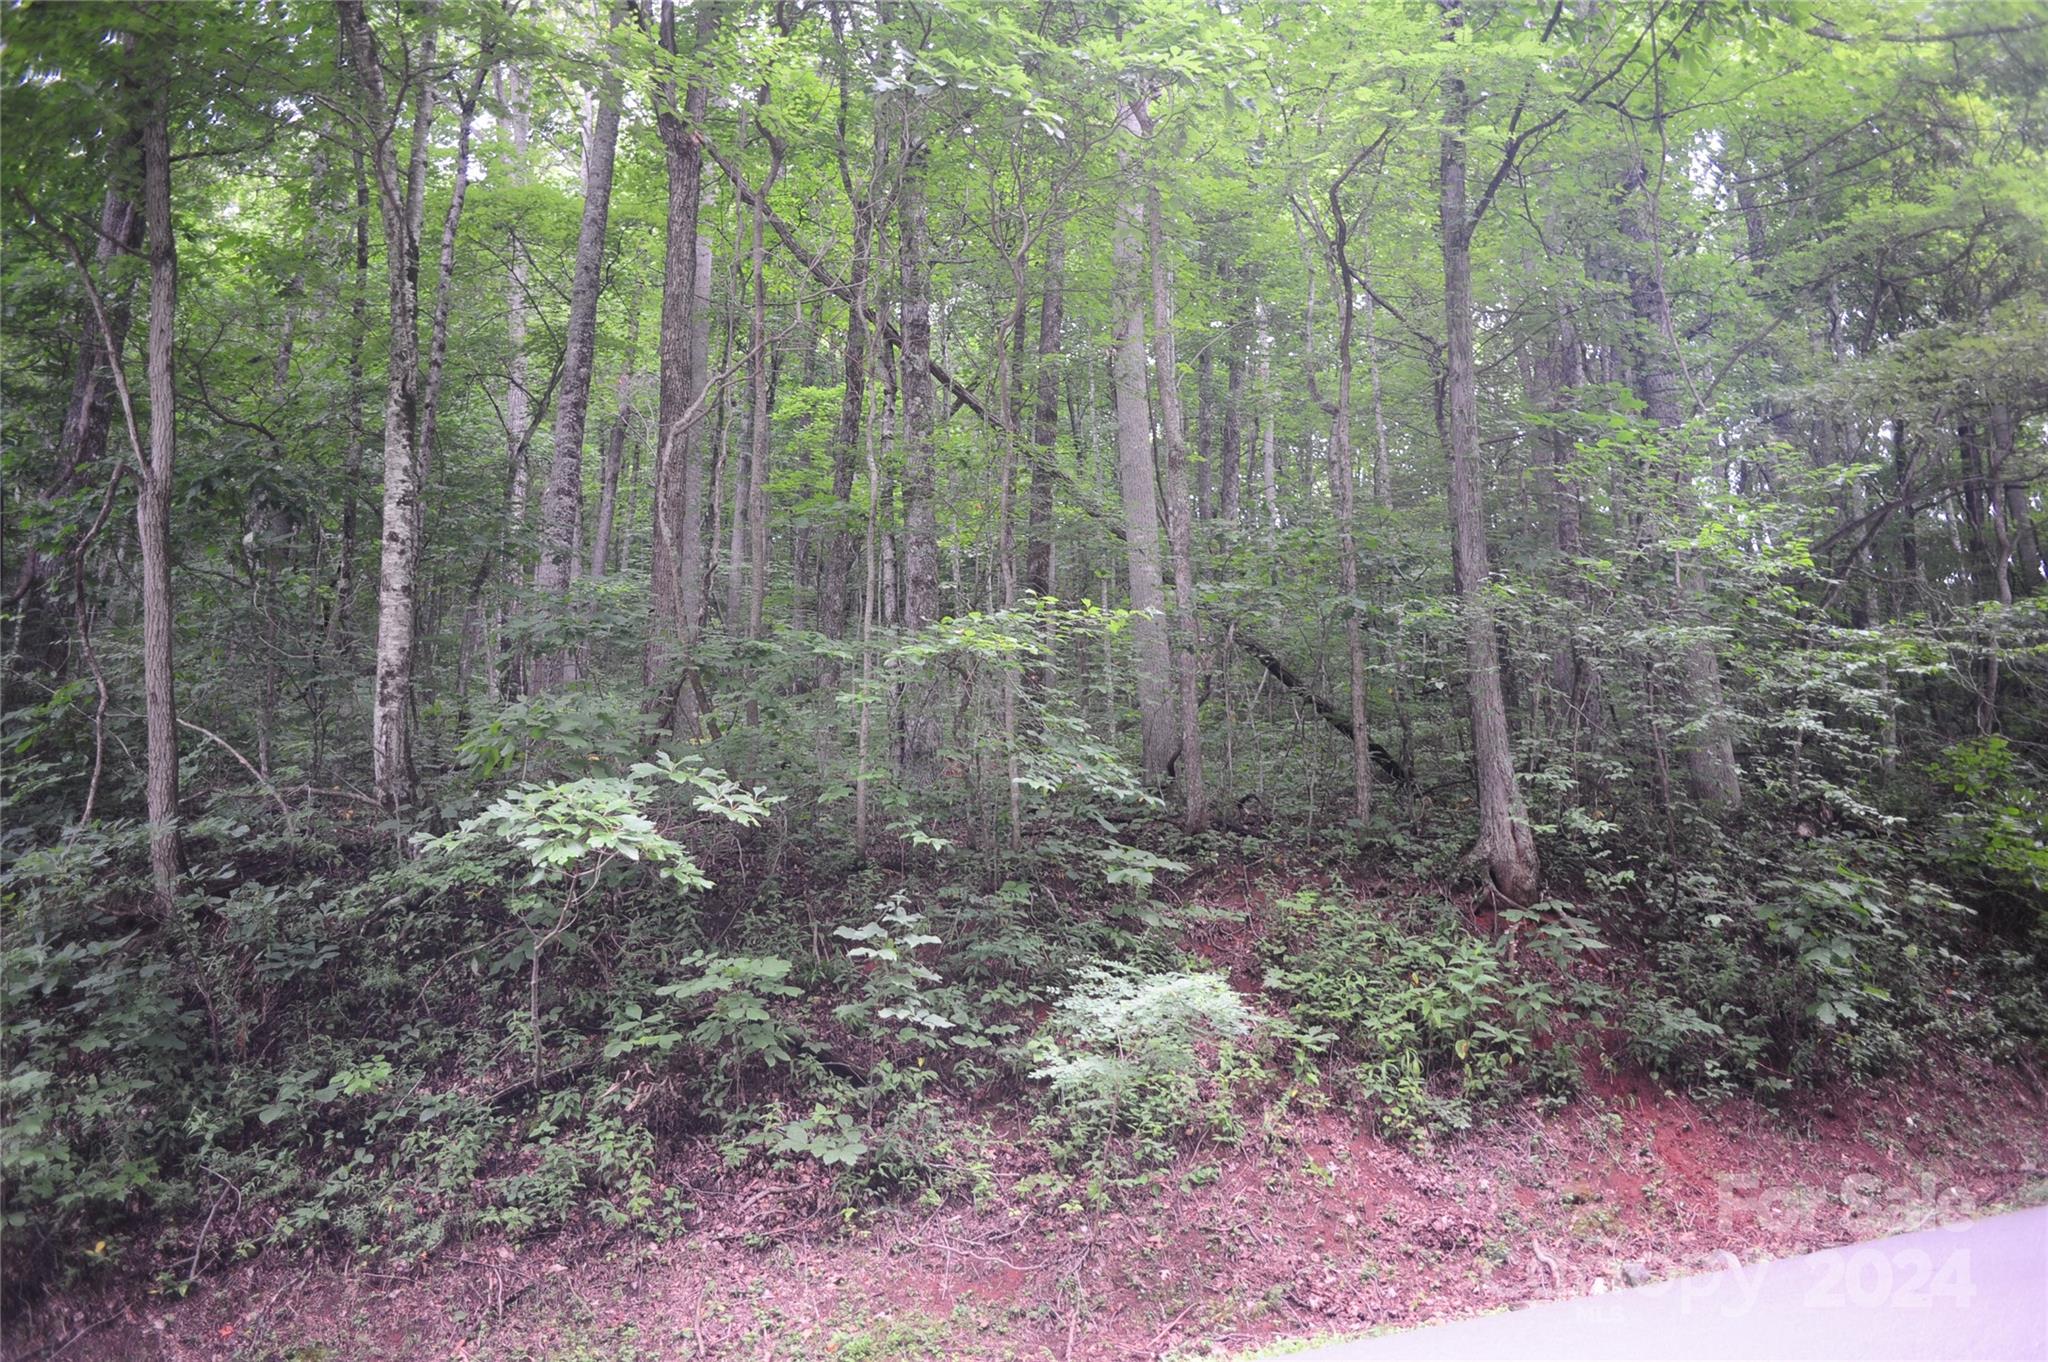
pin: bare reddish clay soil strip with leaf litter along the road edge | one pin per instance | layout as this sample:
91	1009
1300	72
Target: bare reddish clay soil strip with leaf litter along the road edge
1308	1230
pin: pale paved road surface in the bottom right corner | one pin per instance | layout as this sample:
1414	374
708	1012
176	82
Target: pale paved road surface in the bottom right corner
1963	1293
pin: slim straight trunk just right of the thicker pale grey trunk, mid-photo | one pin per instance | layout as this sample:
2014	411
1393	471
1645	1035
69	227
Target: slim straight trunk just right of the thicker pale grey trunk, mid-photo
1179	523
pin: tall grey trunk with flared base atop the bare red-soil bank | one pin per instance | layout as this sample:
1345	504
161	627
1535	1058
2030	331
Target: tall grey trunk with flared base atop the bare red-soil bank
1506	845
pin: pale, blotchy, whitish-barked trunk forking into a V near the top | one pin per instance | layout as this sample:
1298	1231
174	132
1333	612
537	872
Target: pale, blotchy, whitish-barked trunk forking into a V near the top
400	206
